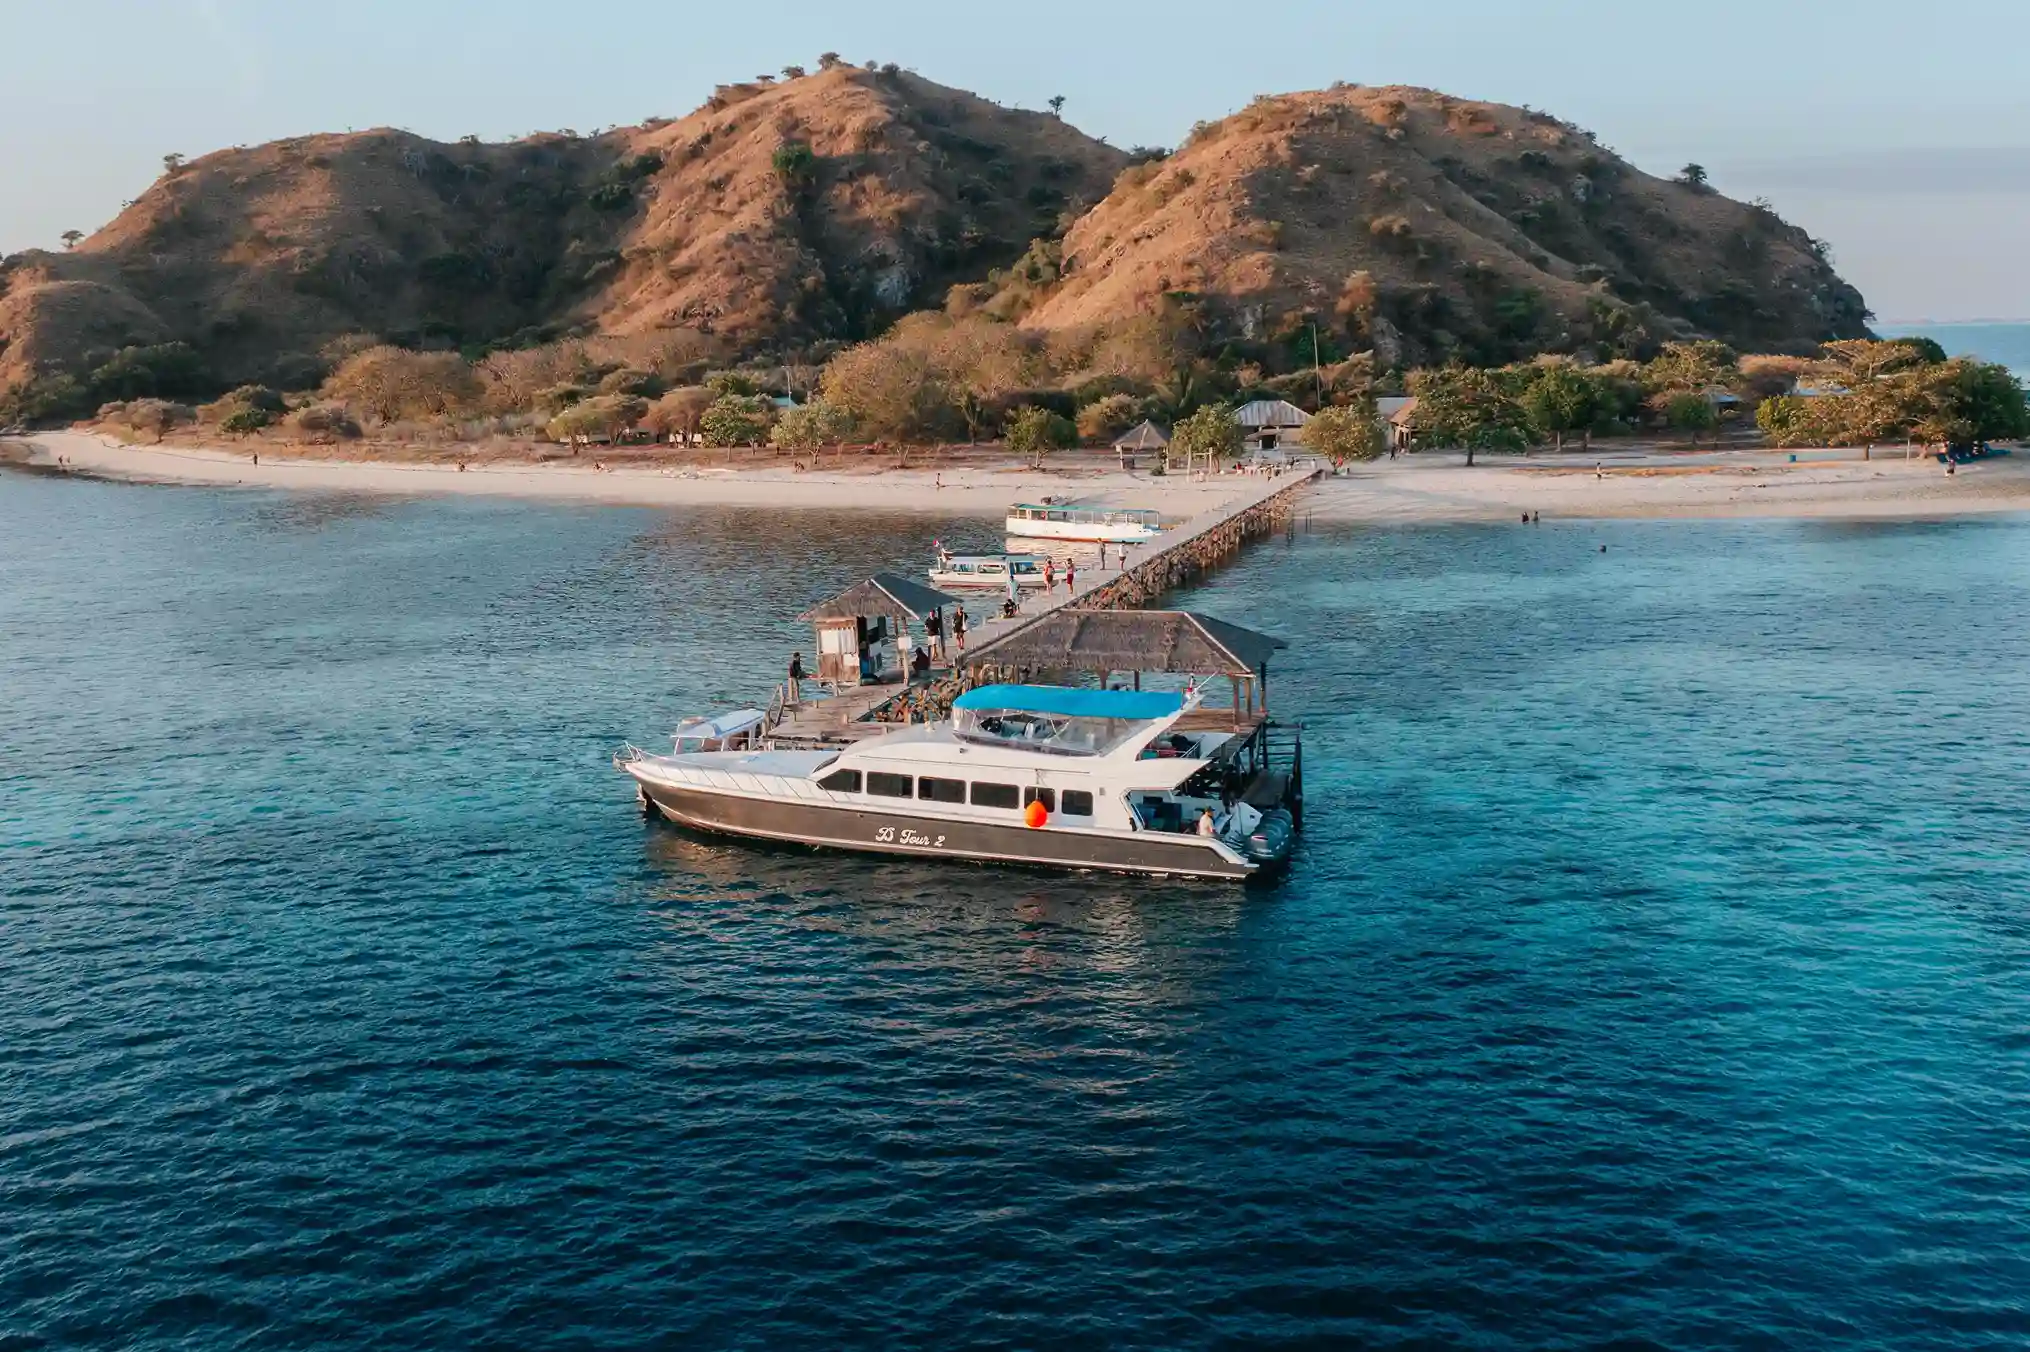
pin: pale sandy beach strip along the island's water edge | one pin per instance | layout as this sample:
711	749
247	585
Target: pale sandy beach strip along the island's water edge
1428	488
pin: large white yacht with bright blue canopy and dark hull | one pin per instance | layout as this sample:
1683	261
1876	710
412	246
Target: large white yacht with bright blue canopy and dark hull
1022	774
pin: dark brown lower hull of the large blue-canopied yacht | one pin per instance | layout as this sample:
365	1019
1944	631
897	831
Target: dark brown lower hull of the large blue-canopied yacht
892	833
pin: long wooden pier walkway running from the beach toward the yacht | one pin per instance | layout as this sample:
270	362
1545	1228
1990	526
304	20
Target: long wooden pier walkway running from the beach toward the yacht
1258	509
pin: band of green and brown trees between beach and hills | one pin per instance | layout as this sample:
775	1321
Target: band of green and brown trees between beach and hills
941	379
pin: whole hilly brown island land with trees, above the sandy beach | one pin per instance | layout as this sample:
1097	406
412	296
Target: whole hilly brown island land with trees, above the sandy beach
852	255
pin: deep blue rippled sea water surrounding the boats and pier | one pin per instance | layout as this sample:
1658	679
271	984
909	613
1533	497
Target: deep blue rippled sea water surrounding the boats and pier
1655	971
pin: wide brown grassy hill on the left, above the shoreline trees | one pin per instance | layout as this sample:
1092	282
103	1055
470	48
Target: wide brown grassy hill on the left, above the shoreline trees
815	208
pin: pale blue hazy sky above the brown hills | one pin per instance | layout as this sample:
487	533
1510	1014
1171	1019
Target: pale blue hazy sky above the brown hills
1899	133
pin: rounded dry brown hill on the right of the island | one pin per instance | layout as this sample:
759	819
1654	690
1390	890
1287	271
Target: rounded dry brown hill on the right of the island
1428	228
